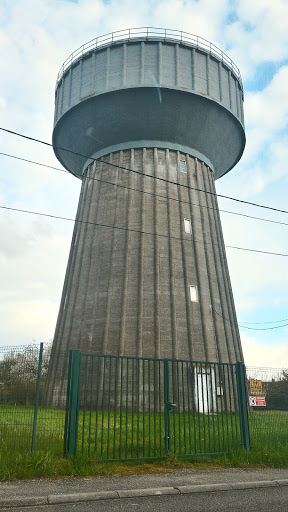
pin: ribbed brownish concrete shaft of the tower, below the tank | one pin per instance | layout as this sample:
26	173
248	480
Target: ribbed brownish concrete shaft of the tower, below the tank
127	287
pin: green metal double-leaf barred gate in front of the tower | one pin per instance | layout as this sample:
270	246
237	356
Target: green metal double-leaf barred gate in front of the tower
132	408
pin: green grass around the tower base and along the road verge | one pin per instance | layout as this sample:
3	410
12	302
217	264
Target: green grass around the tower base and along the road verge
269	436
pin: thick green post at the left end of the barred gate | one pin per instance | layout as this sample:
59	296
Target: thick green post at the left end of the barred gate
72	404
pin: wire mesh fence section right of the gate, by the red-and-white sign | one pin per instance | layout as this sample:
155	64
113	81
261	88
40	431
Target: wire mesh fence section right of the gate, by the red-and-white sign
268	406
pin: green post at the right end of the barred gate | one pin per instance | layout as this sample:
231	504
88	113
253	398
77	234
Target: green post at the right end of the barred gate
242	404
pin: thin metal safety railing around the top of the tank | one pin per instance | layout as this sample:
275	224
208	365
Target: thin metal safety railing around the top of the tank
150	33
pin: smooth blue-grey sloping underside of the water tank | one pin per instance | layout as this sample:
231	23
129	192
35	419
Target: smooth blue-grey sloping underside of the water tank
149	117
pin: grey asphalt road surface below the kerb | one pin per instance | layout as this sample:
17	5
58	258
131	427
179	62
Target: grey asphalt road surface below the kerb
251	500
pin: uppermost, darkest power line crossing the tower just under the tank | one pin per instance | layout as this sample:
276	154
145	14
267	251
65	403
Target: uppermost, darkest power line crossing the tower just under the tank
141	173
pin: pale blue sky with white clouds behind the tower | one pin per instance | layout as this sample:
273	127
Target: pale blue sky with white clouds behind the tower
36	36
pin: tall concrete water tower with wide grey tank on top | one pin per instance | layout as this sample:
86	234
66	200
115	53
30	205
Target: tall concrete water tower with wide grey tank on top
147	274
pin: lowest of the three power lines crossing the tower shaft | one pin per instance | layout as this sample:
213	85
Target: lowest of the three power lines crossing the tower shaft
138	231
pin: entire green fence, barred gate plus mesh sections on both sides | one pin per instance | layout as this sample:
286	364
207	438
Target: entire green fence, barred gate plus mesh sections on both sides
127	408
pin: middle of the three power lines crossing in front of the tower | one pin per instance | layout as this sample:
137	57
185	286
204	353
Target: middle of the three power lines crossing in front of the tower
147	192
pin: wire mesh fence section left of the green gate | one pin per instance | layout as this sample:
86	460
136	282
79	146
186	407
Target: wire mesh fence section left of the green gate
25	422
